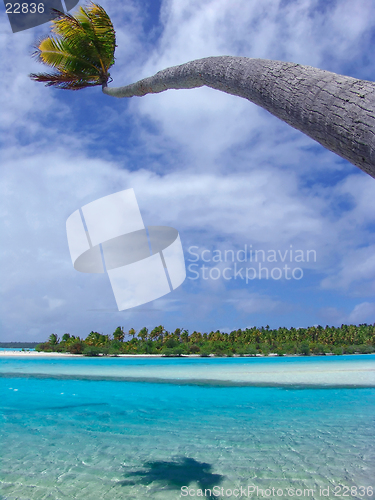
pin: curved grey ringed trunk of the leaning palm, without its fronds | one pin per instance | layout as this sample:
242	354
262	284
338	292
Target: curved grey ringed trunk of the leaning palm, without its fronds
335	110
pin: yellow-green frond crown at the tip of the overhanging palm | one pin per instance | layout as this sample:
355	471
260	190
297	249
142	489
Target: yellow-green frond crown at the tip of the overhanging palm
81	50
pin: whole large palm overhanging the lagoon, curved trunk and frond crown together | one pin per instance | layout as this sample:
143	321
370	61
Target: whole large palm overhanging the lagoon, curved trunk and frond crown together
335	110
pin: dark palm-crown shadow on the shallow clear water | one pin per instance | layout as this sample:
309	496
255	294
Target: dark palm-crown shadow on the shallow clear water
174	475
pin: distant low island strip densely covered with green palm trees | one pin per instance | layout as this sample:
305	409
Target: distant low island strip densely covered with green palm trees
315	340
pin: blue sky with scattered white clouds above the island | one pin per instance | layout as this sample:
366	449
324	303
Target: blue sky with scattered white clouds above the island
222	171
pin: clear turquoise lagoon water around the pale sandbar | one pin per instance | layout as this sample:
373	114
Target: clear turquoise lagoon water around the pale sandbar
84	438
